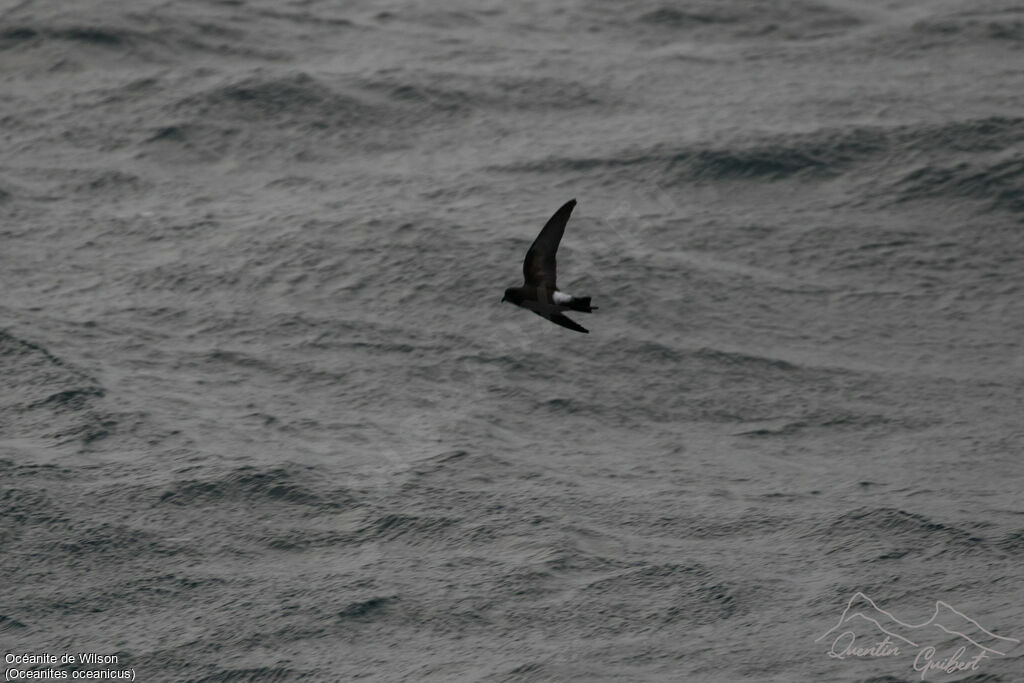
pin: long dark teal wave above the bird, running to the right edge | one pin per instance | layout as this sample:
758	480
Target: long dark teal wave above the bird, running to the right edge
963	162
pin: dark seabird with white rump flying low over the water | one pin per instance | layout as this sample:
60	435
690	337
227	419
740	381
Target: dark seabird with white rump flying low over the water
539	292
